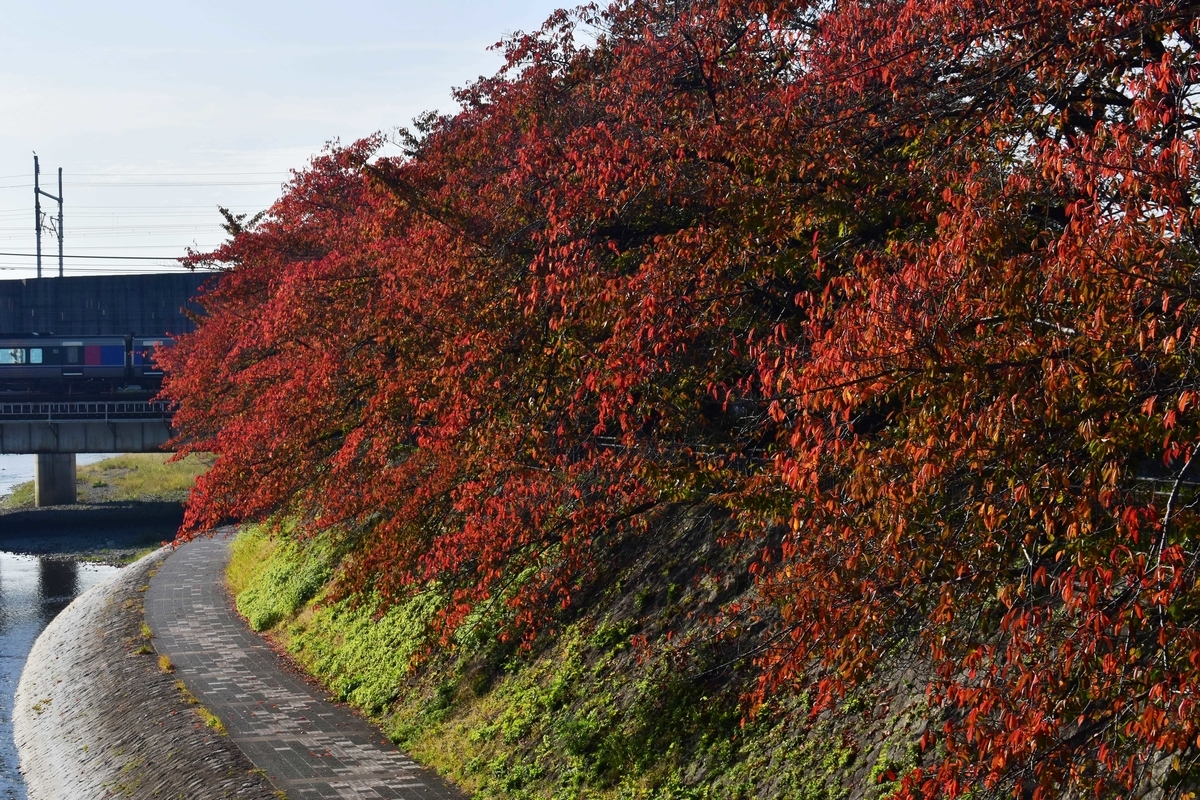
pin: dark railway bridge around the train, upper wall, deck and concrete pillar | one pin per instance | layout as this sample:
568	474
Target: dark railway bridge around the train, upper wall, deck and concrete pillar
56	425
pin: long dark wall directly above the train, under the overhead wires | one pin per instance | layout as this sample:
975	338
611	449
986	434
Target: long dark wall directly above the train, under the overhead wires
101	305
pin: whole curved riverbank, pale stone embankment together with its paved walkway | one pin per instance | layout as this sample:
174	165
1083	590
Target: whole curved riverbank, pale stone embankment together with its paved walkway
121	694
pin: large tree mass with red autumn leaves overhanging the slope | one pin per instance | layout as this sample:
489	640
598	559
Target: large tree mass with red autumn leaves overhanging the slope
908	287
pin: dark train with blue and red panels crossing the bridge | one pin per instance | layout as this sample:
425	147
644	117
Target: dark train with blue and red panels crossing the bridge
80	366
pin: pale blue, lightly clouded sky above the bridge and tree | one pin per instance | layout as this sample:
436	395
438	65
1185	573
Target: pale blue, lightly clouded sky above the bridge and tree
160	112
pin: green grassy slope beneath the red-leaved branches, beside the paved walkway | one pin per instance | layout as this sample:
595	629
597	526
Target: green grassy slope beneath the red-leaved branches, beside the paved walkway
587	714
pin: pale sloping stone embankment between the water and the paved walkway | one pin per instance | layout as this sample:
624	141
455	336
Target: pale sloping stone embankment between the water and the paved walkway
97	715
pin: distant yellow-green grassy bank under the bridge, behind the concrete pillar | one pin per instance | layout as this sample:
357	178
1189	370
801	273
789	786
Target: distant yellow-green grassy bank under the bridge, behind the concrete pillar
133	477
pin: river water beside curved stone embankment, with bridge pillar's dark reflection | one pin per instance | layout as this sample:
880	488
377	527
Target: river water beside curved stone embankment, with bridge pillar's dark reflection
33	591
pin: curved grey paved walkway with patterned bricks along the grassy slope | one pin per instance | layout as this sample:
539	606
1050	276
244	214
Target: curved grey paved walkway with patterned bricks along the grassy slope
308	747
